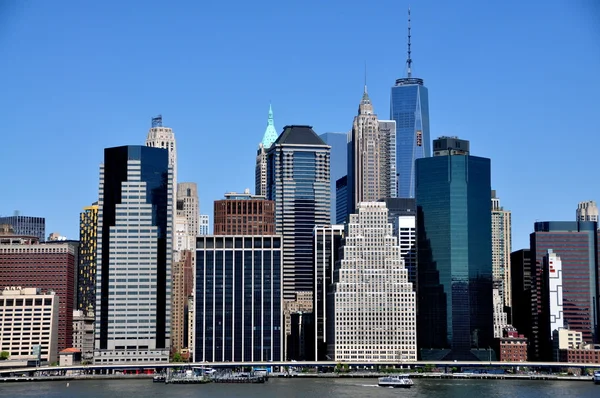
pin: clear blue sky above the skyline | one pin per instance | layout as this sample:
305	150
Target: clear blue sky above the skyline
519	79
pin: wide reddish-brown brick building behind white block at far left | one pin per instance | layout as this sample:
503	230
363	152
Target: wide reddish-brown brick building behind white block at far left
49	266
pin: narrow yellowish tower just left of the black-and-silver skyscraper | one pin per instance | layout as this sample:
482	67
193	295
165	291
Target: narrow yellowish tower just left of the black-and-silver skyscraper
86	268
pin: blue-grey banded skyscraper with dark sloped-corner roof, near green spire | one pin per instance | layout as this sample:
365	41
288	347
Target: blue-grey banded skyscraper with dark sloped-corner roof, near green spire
298	182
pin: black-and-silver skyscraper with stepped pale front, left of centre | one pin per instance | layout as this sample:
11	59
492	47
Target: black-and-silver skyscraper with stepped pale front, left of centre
135	249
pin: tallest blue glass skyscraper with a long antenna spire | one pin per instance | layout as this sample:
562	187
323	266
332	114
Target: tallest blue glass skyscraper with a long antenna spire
409	108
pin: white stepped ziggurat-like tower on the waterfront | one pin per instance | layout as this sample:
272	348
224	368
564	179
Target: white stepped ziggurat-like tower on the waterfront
374	304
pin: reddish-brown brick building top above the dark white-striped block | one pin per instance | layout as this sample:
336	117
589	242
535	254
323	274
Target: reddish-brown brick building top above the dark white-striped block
244	214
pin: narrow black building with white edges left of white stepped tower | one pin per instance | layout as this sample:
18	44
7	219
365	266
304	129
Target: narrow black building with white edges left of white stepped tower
326	248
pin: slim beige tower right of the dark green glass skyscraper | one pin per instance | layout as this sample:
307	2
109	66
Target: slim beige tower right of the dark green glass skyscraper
501	248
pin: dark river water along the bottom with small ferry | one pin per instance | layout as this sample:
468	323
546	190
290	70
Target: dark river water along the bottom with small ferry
313	388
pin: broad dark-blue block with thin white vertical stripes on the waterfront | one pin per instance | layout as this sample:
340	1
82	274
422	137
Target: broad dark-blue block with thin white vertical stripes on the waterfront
238	299
